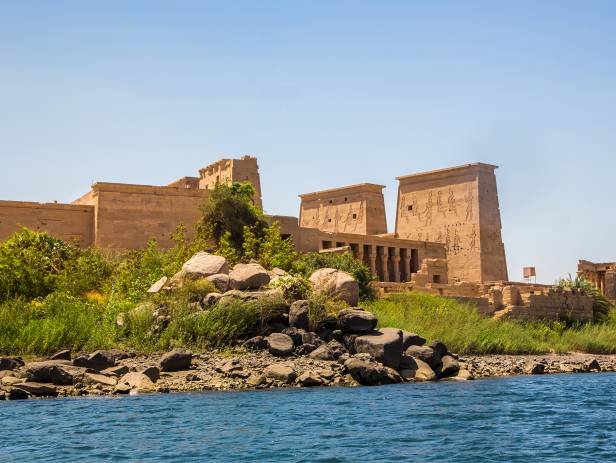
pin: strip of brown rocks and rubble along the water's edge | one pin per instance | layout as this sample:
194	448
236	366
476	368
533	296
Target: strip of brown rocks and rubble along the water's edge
243	370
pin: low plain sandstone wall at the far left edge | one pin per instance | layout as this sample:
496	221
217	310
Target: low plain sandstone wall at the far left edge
66	221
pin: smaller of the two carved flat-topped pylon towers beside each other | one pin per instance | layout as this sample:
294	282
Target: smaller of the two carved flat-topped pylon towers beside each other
358	209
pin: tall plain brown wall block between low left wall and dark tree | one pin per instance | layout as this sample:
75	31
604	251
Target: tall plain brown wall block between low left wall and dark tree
128	216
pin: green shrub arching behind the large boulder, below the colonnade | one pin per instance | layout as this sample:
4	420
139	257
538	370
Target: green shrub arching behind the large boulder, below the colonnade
309	263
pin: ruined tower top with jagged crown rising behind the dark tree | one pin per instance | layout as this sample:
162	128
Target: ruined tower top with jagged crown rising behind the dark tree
227	171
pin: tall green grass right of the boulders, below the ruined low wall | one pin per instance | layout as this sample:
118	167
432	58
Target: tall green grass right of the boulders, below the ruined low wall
464	330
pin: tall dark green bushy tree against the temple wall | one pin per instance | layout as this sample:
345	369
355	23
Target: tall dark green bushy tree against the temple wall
227	213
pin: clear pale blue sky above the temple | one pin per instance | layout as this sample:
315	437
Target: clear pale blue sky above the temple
324	93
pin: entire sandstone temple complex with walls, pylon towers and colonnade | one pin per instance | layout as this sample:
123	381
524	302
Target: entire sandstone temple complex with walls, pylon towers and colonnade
447	237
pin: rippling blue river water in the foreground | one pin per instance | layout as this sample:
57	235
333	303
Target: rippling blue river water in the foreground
549	418
